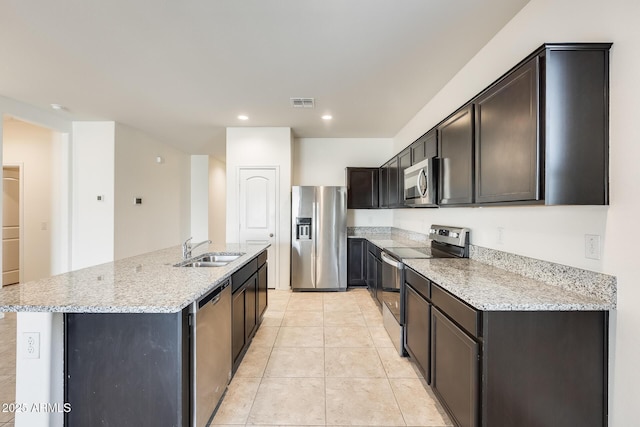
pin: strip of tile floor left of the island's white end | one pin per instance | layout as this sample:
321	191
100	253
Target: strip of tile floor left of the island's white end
7	366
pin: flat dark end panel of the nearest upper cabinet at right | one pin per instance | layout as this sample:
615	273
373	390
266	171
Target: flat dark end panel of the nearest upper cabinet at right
576	123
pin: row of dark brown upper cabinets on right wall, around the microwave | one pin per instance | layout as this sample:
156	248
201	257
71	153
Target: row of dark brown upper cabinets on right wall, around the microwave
537	135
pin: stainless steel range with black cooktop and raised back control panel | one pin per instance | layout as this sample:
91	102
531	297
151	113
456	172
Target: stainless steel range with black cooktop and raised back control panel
446	242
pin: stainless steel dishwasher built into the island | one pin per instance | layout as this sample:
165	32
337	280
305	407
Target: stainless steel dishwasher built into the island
210	352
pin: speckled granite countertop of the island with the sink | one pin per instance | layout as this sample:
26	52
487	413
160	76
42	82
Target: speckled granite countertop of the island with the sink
147	283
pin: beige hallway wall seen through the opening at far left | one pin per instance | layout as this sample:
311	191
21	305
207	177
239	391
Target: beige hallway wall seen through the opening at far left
31	148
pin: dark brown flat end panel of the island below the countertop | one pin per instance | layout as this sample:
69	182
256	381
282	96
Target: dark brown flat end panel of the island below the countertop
127	369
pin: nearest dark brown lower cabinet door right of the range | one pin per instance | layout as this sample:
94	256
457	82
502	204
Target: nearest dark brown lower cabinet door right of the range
455	369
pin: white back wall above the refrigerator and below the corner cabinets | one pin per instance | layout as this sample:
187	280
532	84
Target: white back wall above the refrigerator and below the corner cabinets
323	161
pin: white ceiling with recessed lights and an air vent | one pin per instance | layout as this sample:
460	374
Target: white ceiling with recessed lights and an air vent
183	70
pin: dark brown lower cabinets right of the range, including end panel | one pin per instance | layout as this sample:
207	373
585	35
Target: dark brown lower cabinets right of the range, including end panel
509	368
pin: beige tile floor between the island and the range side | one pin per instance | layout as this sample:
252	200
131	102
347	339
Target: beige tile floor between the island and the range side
323	359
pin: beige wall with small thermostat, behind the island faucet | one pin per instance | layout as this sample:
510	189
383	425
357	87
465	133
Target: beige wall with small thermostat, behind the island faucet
162	220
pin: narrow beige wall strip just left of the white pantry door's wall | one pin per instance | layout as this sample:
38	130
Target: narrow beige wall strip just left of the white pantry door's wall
217	200
